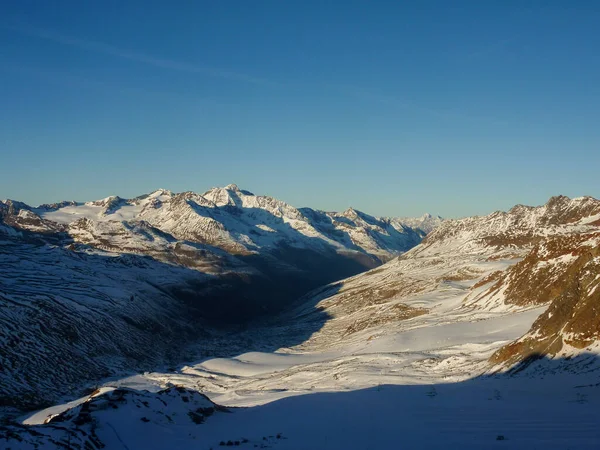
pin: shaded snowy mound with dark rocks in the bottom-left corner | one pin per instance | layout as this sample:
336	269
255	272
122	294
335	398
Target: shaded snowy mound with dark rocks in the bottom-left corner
120	414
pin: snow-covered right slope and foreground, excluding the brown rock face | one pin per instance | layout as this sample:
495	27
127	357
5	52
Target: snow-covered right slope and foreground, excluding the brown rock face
397	357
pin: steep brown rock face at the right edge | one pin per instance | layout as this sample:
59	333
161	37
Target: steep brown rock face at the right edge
566	272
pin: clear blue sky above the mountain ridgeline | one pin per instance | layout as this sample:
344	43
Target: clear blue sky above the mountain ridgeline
394	108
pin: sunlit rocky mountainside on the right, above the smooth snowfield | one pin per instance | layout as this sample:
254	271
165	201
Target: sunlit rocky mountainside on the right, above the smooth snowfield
506	261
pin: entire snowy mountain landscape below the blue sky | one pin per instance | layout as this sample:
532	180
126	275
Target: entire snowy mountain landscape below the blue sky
482	316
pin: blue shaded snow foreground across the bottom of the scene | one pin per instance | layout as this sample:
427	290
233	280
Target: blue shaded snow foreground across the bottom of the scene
472	414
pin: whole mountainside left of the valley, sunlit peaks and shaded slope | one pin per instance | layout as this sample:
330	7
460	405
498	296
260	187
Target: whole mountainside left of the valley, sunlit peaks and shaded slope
95	289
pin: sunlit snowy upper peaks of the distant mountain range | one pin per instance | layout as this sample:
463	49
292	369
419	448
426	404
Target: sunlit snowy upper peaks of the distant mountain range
238	222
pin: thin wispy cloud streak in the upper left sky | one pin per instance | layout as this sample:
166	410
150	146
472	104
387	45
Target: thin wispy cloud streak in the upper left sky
163	63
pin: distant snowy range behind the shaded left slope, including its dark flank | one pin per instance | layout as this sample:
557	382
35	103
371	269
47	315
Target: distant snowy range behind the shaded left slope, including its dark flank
228	230
